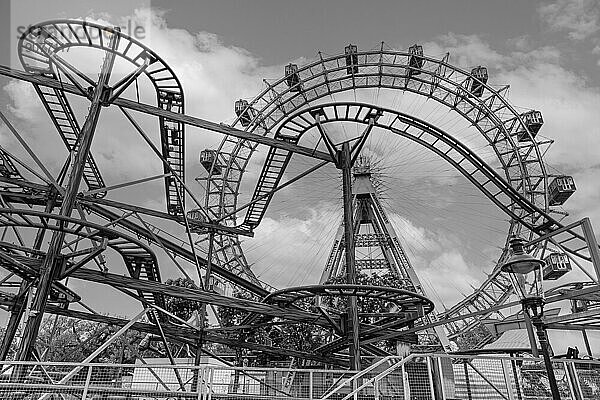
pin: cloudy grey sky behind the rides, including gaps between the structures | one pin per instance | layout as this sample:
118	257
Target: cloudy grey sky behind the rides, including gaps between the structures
548	51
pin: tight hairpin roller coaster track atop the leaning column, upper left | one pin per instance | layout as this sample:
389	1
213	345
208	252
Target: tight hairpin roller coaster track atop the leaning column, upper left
38	51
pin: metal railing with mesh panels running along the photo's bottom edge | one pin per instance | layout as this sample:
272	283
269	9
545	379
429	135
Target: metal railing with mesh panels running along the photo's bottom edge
384	379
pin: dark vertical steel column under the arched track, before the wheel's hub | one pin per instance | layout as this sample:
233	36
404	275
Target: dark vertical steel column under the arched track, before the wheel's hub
346	167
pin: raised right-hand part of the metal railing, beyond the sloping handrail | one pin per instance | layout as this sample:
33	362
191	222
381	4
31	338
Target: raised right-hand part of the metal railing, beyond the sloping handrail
446	377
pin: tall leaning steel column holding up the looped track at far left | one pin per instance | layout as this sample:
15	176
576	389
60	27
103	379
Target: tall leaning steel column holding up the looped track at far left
51	265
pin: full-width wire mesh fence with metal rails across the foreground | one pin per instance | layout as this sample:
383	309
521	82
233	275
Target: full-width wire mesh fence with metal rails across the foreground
417	377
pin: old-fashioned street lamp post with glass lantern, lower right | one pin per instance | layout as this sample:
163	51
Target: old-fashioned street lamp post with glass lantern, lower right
525	272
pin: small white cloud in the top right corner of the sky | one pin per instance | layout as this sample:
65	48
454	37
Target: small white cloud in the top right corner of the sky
579	18
